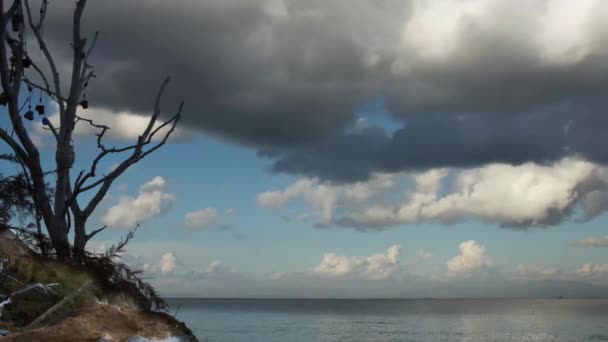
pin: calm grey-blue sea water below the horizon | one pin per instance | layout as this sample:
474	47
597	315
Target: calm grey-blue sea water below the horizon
250	320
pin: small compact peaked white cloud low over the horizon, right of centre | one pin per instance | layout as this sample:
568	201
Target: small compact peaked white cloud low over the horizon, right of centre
472	258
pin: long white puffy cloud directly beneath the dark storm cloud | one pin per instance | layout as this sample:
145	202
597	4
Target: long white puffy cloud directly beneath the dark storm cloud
516	196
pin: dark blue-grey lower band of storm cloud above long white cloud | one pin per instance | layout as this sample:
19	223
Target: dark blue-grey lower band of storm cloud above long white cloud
543	136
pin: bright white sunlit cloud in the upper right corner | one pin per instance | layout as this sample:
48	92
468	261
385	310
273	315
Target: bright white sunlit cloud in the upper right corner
556	31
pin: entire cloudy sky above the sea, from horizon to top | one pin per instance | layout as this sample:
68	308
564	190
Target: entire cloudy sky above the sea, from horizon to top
354	149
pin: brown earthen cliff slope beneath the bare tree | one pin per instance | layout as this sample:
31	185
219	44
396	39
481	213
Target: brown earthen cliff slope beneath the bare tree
78	309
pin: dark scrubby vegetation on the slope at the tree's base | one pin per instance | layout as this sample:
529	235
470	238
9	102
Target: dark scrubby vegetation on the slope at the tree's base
109	276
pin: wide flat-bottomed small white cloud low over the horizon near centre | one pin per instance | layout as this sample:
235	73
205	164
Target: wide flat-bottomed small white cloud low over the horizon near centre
374	267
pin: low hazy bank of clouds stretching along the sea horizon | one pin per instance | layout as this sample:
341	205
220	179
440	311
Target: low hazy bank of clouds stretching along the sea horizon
470	273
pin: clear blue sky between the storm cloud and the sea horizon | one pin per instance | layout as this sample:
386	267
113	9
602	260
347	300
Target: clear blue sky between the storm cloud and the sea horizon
255	242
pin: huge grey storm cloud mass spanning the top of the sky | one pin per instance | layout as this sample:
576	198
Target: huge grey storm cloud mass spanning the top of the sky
287	77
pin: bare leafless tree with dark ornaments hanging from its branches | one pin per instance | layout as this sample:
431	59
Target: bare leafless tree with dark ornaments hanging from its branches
18	71
